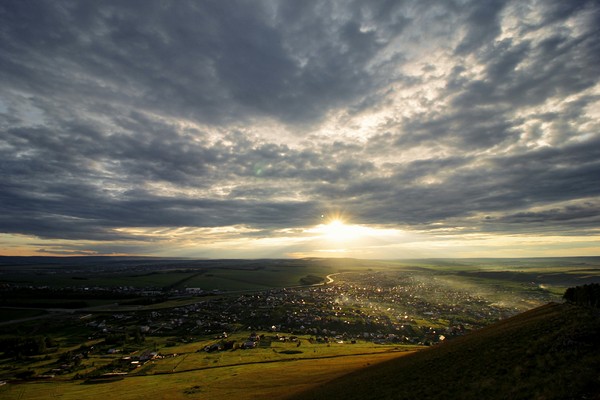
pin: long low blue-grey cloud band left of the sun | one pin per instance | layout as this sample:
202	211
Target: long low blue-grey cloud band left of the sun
78	214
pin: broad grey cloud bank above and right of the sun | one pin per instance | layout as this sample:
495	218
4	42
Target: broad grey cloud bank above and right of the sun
463	188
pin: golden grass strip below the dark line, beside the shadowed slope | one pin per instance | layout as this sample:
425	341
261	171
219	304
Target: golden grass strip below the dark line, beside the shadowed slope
273	380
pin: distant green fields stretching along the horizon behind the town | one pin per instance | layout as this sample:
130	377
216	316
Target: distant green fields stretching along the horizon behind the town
236	275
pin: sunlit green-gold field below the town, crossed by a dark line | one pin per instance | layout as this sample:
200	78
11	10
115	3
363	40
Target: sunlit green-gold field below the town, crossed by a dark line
275	371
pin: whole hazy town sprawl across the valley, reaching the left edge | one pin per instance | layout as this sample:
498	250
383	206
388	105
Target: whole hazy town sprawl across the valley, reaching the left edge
376	305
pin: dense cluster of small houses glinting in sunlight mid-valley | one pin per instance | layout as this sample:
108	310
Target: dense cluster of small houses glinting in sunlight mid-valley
378	306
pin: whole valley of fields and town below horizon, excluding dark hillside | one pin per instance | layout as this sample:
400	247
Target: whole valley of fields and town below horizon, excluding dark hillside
67	323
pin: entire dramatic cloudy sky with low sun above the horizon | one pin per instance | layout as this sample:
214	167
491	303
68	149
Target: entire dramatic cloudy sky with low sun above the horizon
244	128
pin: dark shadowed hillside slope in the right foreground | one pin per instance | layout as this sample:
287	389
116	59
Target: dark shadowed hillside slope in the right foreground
552	352
